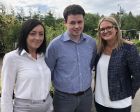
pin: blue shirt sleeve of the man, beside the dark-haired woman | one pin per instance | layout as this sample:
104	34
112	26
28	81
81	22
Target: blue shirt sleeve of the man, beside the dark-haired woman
50	57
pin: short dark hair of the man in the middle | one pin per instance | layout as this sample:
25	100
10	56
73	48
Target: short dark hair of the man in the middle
74	10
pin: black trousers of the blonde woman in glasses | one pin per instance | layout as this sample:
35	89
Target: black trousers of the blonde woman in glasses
100	108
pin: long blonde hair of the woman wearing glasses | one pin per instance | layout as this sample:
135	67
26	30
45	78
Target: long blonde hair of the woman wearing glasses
101	44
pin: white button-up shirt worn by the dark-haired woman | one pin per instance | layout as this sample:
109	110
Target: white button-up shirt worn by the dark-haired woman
29	78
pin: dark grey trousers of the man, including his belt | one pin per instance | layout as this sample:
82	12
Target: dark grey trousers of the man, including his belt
65	102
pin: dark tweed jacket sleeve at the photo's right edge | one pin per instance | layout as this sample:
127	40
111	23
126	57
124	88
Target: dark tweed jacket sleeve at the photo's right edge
134	67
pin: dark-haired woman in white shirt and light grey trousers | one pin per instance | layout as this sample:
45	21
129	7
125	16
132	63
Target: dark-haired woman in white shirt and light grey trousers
25	73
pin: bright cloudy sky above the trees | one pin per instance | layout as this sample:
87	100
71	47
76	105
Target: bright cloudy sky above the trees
102	7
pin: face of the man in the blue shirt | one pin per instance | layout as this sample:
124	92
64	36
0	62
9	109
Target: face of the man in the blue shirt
75	25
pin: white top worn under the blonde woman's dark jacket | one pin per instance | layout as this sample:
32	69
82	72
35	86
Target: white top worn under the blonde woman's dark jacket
101	89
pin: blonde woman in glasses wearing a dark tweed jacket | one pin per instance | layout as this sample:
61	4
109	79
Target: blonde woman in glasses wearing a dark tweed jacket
117	69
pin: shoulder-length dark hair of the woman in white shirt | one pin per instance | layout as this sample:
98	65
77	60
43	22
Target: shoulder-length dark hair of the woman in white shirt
27	26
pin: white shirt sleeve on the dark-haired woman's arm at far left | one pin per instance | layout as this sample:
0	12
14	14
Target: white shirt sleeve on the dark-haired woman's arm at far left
8	75
